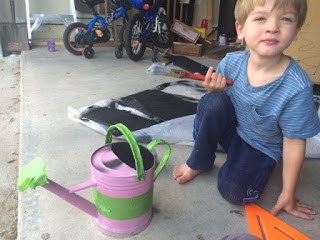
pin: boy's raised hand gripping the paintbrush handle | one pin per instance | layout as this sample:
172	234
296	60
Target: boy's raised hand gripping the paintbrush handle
214	82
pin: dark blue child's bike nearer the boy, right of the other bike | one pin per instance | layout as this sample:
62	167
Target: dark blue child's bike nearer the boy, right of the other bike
150	24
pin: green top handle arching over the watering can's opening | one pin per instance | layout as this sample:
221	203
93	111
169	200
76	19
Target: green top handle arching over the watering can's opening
133	145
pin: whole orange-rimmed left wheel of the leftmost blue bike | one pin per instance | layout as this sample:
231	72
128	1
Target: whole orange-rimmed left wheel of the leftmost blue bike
74	38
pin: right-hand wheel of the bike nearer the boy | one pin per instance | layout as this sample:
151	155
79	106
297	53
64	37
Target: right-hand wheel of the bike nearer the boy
163	38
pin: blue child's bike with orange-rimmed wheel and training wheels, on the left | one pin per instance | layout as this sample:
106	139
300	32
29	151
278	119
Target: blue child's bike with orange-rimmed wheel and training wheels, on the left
79	38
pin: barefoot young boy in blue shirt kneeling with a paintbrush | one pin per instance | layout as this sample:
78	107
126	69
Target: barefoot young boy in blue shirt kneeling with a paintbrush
264	117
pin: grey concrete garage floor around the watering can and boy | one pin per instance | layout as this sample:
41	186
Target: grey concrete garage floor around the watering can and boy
52	81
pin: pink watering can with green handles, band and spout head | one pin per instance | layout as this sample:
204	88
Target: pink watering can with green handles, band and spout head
122	176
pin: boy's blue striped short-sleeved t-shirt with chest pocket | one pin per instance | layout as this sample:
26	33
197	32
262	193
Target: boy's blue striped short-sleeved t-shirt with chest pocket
265	114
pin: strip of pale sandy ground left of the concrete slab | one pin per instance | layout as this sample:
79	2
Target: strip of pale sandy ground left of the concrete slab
9	141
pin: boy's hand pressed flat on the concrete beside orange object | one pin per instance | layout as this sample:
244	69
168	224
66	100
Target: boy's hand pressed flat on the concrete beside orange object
290	204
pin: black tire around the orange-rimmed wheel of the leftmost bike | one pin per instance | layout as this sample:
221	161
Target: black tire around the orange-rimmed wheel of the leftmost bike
72	46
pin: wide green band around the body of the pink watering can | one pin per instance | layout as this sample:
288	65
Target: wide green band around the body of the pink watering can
122	208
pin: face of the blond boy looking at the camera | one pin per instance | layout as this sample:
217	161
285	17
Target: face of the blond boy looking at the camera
269	31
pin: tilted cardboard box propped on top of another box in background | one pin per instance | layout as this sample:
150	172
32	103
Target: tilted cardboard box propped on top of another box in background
185	31
